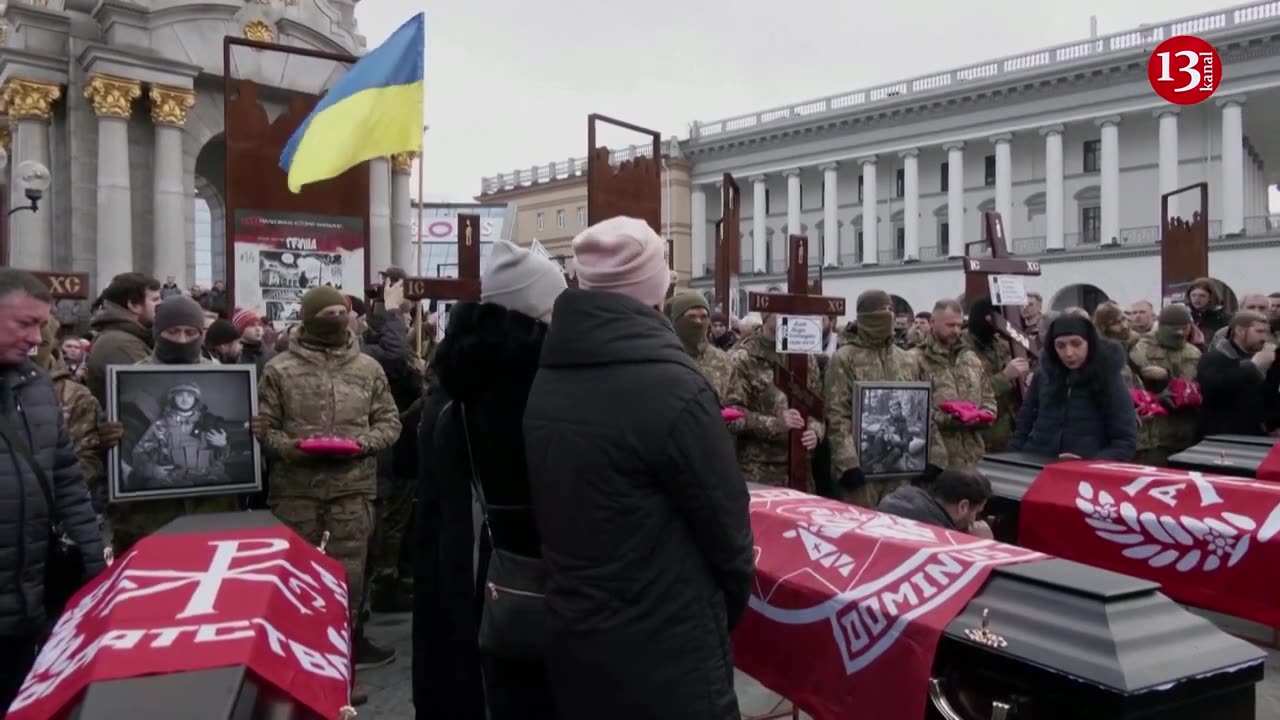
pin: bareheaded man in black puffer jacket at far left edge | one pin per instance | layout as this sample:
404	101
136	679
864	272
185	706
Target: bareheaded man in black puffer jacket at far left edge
33	430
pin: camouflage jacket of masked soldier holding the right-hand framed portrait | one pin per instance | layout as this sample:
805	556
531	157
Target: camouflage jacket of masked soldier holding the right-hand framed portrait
861	361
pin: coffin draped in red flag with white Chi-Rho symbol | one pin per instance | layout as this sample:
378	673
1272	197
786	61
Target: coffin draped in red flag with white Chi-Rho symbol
239	689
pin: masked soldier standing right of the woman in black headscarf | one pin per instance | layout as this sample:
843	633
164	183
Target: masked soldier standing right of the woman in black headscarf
1160	358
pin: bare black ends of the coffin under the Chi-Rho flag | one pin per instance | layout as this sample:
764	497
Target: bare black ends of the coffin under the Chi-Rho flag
228	694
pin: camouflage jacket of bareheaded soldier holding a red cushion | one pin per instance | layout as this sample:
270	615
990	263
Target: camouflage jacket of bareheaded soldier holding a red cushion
957	375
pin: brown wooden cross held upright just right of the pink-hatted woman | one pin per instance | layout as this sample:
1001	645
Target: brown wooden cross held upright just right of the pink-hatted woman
794	379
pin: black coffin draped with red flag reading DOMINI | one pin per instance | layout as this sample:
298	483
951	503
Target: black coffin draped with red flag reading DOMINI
1031	639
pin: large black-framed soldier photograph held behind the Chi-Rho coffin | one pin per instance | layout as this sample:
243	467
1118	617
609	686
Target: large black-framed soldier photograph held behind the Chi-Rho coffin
186	431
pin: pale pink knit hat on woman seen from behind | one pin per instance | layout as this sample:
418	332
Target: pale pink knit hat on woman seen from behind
624	256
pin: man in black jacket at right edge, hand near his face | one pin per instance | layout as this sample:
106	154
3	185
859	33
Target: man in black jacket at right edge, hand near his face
1240	380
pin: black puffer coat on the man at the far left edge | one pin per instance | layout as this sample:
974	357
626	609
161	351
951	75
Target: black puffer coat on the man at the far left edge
29	404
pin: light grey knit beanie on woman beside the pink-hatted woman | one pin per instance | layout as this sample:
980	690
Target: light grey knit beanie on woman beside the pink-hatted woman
522	281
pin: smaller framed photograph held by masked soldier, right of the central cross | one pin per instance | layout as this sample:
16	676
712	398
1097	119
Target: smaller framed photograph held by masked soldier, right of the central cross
893	422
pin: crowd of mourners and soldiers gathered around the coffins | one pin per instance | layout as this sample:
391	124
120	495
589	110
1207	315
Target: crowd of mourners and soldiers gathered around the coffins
559	487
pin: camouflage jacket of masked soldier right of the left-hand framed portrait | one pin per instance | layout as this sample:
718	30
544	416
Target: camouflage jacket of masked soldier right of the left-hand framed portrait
309	391
